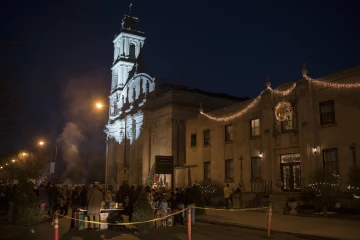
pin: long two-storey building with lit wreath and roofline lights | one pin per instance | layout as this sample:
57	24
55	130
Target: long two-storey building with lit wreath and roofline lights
274	142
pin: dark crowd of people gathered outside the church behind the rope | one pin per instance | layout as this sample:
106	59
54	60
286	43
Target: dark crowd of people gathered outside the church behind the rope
93	198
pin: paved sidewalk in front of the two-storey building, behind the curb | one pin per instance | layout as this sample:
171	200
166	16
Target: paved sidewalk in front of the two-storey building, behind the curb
320	227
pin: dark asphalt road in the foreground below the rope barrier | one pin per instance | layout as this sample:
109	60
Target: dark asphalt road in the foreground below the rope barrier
199	231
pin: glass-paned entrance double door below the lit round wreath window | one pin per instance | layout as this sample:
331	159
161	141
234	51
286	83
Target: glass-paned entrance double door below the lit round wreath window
290	172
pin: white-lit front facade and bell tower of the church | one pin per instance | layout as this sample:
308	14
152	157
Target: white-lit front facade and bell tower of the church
129	91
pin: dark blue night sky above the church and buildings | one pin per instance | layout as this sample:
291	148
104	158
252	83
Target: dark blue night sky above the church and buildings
64	60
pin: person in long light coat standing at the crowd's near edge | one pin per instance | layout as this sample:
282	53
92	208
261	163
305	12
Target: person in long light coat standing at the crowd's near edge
95	198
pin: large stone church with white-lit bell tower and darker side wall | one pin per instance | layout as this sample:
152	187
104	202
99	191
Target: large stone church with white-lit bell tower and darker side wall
147	118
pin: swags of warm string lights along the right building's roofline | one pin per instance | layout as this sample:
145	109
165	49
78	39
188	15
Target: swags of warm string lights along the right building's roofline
281	93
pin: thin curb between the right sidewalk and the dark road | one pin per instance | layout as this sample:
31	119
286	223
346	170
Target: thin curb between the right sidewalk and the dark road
297	234
